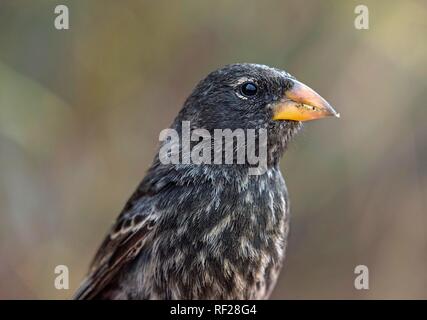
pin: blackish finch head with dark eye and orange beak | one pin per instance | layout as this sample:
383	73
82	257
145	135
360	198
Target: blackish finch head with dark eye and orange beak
253	96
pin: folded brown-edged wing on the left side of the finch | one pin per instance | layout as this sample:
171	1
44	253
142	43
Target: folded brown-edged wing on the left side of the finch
124	242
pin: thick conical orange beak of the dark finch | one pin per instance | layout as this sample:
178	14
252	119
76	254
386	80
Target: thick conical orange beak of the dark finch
301	103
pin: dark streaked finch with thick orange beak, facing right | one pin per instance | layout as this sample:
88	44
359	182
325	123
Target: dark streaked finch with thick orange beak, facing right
206	230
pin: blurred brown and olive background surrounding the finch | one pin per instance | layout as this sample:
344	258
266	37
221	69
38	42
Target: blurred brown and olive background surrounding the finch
81	111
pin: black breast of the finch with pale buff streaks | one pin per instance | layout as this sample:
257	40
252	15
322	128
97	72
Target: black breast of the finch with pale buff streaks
231	241
